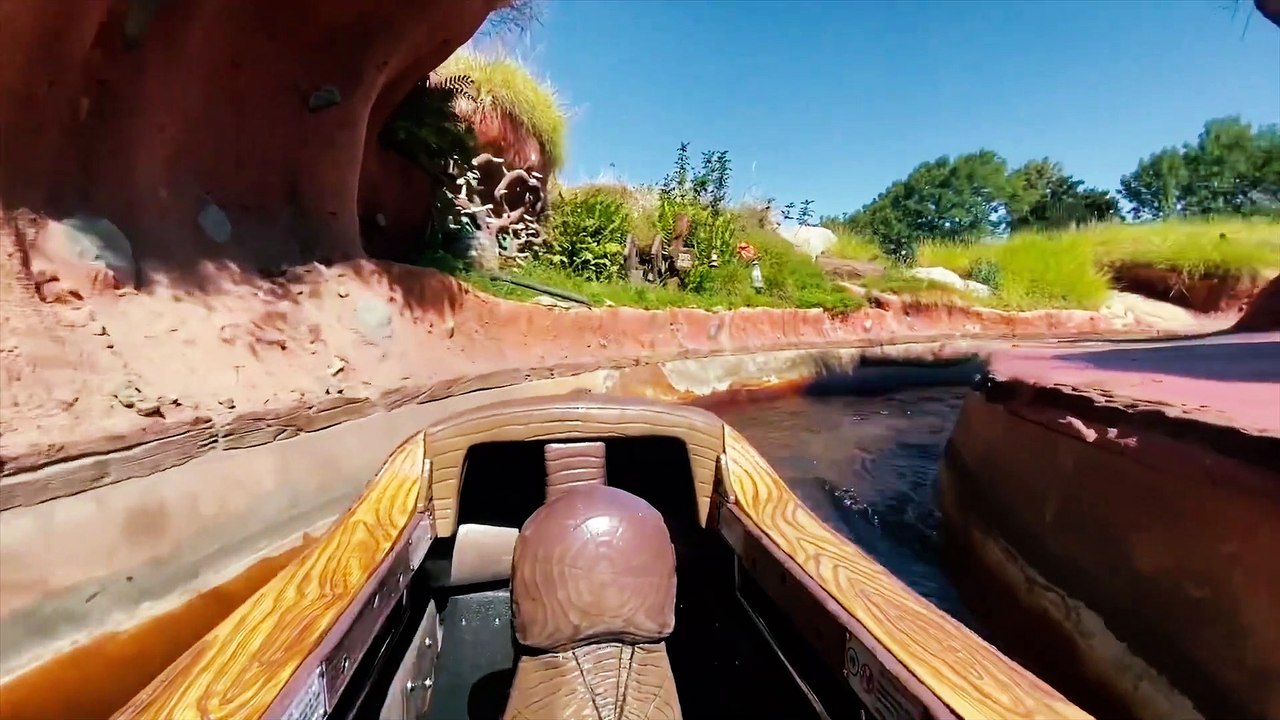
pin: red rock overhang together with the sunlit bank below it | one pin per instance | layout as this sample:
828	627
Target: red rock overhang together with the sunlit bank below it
182	194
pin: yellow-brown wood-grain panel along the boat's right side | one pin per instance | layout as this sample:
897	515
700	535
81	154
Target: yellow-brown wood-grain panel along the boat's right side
962	669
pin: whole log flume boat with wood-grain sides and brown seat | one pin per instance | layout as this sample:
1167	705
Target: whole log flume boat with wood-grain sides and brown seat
588	557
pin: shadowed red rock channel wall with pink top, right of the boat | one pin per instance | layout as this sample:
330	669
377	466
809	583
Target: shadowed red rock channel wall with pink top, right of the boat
1126	496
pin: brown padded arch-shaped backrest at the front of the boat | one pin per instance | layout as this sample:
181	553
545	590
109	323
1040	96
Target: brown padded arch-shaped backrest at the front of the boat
564	420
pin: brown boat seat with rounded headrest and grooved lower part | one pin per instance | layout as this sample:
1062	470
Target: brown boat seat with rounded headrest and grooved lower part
593	598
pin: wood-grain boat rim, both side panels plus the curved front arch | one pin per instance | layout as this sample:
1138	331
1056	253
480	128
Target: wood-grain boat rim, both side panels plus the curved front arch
260	655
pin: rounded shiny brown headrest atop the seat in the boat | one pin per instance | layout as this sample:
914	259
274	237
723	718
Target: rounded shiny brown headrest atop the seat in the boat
595	564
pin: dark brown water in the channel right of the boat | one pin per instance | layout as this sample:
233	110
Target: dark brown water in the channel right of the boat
868	468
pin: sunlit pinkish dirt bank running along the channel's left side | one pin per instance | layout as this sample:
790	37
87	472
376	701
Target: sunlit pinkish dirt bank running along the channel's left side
116	370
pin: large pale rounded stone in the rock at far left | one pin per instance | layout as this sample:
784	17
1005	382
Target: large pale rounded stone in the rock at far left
83	256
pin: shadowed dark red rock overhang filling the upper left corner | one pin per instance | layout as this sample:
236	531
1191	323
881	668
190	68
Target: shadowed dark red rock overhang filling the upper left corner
212	131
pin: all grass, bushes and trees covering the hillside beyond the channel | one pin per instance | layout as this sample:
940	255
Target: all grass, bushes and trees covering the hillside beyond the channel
1035	235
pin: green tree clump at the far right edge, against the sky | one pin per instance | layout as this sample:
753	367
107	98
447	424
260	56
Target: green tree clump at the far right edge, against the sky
1229	170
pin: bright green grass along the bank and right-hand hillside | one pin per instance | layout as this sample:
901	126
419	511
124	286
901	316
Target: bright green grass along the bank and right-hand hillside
1032	271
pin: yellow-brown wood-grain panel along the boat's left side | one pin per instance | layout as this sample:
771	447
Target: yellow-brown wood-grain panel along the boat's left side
239	669
